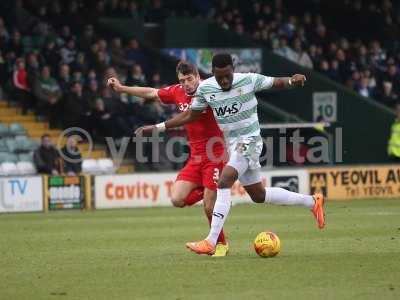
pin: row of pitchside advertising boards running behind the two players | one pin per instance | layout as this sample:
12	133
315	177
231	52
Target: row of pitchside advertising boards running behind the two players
49	193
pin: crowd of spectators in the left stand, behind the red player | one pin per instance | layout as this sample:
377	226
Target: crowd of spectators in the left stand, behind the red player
49	68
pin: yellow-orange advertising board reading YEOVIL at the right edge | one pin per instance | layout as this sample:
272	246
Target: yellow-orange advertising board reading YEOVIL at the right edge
342	183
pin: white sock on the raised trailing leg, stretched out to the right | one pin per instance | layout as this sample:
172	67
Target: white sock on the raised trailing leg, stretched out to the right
275	195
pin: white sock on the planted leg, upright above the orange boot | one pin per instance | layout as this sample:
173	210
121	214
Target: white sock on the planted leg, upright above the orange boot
220	212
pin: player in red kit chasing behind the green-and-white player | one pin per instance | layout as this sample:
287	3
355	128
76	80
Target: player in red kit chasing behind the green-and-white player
196	180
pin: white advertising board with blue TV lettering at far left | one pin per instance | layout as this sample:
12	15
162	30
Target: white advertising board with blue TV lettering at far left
21	194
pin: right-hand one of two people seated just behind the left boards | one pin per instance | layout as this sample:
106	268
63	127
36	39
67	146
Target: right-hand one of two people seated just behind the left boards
71	157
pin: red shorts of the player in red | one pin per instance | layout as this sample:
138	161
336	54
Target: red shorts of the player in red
202	173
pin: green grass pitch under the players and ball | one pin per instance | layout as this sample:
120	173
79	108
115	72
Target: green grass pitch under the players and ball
140	254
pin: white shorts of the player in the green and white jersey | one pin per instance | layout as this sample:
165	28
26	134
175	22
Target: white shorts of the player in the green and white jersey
244	156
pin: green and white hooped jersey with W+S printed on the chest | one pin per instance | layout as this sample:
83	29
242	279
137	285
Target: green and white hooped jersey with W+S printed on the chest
235	110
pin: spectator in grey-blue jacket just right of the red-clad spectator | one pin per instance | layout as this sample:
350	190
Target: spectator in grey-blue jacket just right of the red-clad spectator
48	93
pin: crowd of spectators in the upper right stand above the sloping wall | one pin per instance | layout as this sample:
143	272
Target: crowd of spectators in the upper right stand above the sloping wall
368	64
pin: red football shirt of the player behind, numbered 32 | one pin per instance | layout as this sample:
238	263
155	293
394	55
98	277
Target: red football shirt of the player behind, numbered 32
199	131
